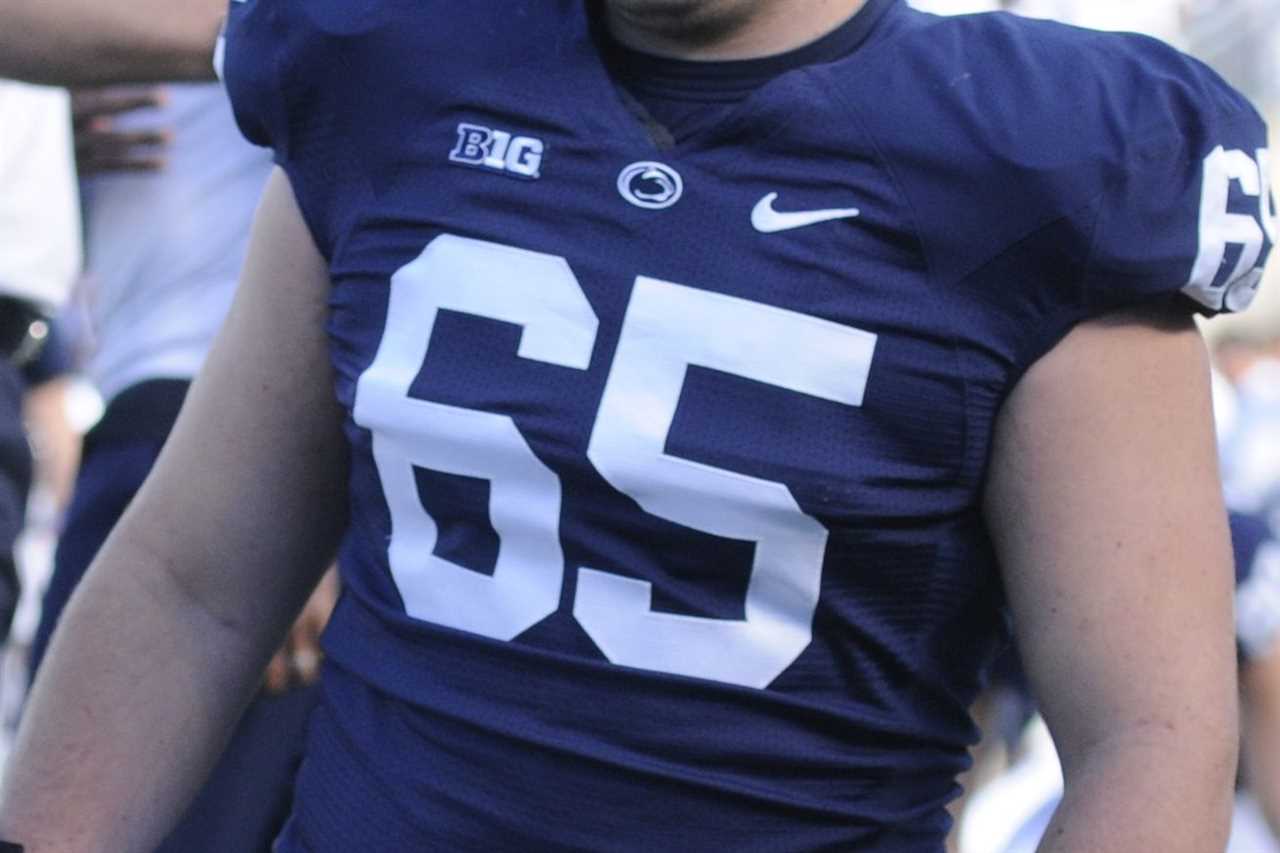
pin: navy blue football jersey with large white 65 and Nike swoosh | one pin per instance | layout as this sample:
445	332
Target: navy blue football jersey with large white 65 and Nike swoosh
668	459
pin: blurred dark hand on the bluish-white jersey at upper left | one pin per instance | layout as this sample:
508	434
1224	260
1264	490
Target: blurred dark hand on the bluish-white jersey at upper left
100	147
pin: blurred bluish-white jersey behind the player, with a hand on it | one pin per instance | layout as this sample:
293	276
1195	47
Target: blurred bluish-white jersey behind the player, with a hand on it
166	249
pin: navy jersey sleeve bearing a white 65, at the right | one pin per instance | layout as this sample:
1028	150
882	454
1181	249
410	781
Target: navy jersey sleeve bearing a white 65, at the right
1186	204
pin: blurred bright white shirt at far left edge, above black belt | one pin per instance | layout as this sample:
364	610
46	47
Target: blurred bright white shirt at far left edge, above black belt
40	241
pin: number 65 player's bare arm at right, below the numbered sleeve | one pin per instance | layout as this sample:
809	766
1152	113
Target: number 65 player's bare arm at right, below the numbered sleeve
1105	507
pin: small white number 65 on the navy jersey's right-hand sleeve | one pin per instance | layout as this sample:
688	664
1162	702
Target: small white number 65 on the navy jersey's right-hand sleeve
1220	227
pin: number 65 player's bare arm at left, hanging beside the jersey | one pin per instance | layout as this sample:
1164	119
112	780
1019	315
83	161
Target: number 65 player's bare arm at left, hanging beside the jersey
259	449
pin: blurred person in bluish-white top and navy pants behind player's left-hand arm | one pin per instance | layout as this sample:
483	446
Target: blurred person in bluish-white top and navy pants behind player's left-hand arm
170	191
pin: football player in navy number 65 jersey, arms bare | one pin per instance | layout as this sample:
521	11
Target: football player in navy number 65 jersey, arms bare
702	380
